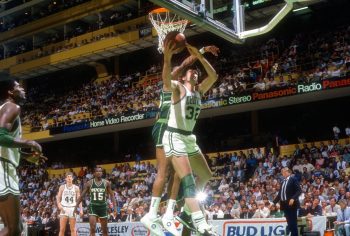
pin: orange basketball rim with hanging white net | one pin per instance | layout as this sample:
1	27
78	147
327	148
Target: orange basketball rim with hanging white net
164	22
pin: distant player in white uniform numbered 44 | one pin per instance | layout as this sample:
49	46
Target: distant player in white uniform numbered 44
66	198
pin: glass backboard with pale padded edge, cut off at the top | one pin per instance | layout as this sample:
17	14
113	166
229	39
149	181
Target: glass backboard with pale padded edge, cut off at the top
226	18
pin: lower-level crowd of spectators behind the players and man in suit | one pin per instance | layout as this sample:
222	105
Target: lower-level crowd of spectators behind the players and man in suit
243	186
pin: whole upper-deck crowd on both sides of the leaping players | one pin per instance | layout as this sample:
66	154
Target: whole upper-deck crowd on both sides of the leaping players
118	96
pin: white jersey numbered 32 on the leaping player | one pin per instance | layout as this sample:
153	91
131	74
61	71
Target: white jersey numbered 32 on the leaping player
184	113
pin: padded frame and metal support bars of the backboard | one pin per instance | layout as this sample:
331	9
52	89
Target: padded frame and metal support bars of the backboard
200	12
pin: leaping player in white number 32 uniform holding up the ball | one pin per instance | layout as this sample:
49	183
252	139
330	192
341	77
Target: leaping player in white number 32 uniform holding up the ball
178	140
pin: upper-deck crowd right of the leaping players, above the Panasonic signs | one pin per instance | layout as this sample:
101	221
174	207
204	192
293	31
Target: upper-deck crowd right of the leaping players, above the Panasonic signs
308	58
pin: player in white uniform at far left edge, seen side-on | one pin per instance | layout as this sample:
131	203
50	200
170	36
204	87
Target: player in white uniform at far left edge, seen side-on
11	92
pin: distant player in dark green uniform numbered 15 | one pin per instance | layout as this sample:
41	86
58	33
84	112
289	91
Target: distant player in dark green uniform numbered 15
98	189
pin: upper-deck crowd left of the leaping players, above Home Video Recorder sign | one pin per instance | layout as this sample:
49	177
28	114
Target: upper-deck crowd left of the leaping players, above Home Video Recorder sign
111	97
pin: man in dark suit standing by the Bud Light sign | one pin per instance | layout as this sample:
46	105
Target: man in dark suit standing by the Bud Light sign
288	196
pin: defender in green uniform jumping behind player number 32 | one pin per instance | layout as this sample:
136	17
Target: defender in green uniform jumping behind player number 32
151	220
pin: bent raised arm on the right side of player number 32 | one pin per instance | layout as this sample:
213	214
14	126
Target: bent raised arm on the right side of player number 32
208	82
